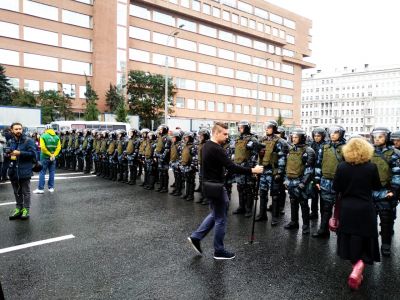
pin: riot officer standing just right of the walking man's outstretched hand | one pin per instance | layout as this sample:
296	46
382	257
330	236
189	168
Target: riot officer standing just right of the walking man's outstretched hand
273	158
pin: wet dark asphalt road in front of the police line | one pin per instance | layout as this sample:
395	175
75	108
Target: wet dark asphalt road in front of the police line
131	244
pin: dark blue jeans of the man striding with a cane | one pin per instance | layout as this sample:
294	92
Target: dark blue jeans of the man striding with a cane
217	217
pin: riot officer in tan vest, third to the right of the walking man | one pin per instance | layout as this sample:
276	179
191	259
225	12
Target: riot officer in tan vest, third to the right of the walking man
299	172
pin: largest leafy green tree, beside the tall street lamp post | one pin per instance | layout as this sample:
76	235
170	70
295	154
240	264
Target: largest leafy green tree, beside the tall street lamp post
146	96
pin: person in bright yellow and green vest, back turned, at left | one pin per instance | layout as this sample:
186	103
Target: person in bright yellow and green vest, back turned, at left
50	147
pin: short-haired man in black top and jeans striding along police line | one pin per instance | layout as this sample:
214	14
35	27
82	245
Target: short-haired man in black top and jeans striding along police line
214	163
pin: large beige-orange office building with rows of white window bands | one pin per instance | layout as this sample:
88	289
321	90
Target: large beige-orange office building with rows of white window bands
229	59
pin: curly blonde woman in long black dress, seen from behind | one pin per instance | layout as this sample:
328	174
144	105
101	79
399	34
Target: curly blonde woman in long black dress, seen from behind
357	234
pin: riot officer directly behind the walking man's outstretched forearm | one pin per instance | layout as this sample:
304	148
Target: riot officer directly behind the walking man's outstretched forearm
245	156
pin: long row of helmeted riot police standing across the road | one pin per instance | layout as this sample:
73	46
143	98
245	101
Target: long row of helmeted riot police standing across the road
303	168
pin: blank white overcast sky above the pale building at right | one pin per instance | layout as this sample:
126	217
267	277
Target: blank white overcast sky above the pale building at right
351	32
